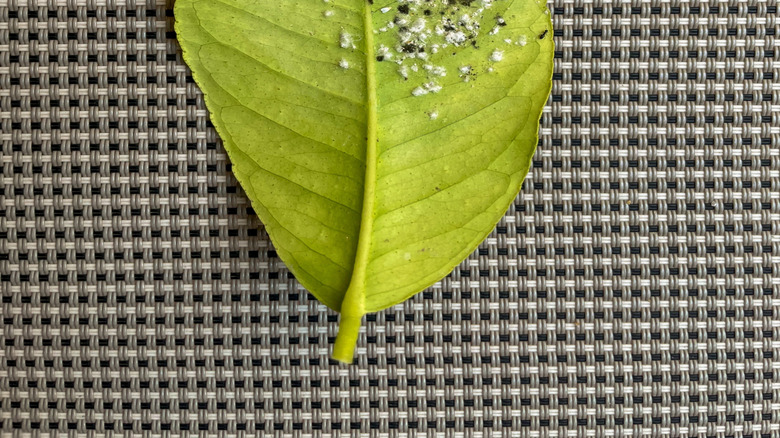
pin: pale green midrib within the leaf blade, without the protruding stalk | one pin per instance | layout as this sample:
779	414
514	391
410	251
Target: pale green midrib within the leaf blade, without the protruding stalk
353	303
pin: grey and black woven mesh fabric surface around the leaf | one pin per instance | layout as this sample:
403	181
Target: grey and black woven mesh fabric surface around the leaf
632	289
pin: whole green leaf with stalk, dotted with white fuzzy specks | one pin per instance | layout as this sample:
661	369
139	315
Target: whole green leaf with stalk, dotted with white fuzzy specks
379	143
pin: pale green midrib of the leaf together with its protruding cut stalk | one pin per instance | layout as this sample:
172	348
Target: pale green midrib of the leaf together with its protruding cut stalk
353	303
